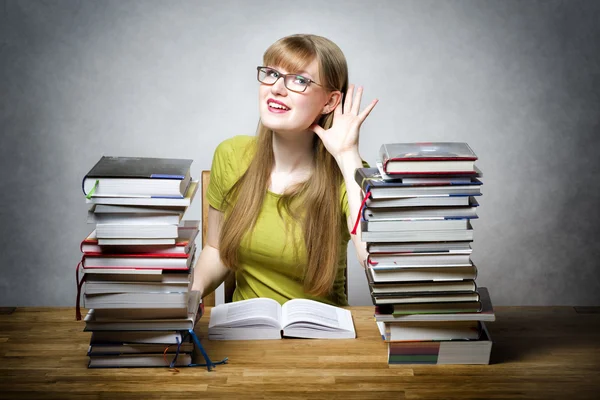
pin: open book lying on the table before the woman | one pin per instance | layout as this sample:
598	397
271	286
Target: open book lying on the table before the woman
262	318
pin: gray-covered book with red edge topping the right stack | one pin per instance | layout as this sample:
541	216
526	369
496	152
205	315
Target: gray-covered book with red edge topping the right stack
427	158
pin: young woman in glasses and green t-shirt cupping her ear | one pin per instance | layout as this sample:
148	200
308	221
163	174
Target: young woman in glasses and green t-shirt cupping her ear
283	202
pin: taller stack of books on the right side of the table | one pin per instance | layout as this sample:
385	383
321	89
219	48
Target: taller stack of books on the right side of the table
416	222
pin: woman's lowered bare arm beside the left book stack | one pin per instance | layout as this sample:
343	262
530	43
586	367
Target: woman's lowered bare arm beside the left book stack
210	271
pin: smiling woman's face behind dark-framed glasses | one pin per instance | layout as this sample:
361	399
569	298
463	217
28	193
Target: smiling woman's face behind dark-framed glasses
283	110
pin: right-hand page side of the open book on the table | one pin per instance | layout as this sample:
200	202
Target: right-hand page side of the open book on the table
315	313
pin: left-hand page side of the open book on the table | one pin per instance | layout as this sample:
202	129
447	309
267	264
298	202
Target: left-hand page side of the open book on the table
259	311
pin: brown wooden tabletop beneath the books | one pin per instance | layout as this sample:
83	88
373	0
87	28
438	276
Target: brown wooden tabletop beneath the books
538	352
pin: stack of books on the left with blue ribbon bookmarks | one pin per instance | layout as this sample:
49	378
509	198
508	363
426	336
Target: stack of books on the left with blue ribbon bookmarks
137	263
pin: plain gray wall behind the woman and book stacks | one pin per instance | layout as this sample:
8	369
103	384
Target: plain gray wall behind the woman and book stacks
518	80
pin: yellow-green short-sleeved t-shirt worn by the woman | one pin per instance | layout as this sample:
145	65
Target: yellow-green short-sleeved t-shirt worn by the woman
267	264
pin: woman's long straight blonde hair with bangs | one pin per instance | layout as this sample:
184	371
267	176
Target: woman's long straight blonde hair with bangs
321	209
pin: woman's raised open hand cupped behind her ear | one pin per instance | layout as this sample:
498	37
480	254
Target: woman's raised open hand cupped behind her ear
342	137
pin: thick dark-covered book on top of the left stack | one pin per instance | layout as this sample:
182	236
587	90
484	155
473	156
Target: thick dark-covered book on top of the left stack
137	177
